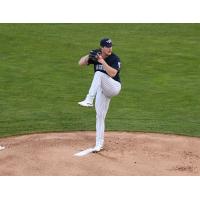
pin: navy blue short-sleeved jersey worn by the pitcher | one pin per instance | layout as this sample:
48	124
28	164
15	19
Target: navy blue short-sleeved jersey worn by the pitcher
113	61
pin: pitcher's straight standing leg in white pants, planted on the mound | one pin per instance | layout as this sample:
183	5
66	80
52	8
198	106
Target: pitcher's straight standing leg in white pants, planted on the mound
101	105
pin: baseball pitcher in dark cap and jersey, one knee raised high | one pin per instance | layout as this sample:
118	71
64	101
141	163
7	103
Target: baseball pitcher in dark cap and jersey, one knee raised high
106	84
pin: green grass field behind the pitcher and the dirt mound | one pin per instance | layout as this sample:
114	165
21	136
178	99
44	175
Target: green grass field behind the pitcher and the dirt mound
41	82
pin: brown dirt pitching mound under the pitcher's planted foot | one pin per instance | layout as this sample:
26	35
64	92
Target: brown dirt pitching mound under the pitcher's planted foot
124	154
